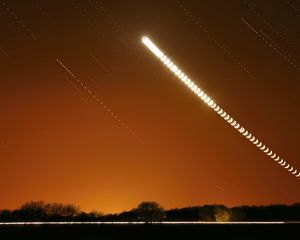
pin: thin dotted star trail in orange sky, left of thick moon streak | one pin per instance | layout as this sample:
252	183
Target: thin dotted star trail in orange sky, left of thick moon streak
95	97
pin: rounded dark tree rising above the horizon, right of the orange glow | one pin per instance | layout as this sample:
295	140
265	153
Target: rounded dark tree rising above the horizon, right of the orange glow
150	212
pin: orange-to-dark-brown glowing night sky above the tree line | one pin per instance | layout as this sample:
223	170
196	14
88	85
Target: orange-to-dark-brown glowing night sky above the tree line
126	130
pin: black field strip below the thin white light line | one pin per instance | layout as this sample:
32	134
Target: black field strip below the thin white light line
285	231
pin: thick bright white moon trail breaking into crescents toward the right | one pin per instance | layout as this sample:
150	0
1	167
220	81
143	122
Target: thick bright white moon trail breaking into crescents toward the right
210	102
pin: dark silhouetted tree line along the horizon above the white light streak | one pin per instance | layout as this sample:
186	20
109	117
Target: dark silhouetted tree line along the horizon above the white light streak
152	212
